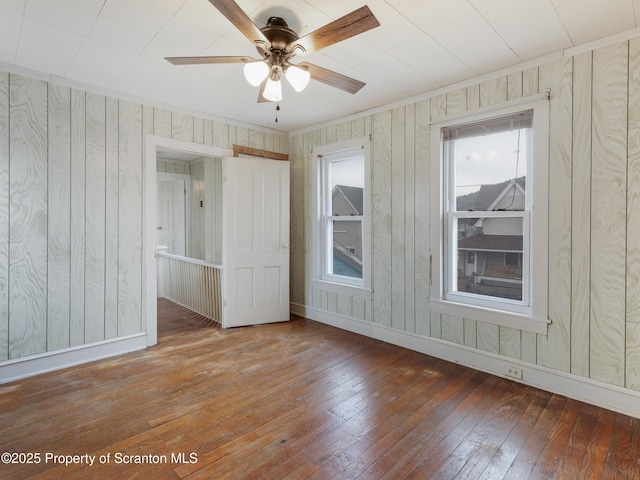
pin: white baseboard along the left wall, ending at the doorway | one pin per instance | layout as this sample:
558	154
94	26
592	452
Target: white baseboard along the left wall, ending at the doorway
18	368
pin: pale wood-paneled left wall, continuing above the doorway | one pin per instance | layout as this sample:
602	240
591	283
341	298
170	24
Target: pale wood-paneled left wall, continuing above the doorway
71	210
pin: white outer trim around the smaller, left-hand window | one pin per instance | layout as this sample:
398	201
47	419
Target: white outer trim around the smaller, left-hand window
363	288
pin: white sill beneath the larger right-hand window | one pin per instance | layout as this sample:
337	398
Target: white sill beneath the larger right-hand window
497	317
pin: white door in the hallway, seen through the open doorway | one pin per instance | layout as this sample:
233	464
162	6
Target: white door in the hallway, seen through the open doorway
171	216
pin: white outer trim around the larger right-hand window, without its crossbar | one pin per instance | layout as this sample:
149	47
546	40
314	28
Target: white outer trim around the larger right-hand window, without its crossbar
533	319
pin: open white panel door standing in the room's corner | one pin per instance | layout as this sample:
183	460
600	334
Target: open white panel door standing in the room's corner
256	241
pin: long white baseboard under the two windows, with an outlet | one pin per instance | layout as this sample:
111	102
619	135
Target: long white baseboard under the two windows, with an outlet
594	392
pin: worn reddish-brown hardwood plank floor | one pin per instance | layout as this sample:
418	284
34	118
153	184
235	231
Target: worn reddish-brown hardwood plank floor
300	400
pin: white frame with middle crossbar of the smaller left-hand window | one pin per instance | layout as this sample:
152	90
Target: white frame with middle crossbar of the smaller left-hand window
322	224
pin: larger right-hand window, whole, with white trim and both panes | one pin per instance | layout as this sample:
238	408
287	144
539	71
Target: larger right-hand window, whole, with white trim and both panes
491	221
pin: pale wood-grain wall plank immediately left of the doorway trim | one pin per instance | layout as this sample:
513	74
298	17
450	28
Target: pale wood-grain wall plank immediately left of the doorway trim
130	219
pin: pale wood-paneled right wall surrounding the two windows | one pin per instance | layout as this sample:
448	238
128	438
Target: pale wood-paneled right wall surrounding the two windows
594	217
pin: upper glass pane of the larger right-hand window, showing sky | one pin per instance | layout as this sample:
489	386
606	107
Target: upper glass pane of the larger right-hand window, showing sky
490	171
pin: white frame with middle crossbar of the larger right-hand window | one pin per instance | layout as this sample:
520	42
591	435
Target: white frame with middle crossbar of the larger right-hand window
530	314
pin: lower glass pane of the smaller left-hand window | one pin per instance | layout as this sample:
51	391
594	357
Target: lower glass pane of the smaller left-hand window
347	248
